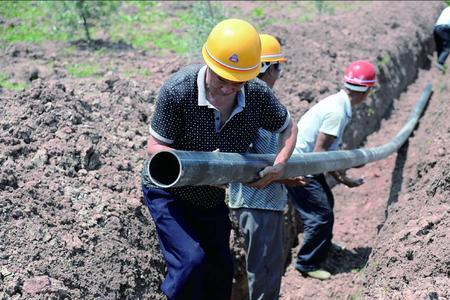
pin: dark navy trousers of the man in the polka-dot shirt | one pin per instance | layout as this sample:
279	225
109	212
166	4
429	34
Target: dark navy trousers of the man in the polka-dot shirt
195	245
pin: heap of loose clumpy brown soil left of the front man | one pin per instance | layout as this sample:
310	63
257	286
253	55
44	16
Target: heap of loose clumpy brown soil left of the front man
73	225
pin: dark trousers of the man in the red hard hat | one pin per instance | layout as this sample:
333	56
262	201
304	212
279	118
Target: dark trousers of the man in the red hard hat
314	203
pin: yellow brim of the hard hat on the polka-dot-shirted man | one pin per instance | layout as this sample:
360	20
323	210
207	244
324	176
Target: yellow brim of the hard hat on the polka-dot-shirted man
228	73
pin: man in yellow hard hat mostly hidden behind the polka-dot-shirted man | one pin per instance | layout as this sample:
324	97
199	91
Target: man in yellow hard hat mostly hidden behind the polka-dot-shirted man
260	211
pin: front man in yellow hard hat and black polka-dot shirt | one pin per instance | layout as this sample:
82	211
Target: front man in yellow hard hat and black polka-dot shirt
205	108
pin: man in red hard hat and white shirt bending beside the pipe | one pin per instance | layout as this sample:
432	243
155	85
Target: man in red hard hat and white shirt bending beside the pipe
321	129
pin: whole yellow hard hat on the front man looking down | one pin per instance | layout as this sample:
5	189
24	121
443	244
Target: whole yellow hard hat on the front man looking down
233	50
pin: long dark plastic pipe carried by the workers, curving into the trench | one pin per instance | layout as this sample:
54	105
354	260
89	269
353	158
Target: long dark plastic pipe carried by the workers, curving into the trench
180	168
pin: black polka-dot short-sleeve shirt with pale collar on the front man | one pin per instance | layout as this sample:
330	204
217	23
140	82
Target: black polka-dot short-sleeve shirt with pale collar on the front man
186	120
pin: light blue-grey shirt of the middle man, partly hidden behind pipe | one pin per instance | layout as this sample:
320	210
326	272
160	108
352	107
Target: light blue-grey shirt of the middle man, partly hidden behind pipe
273	196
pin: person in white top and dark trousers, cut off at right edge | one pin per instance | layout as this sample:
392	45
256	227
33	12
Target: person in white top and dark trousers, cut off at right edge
442	38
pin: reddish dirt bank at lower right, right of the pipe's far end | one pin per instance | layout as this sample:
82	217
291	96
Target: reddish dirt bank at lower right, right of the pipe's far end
411	259
